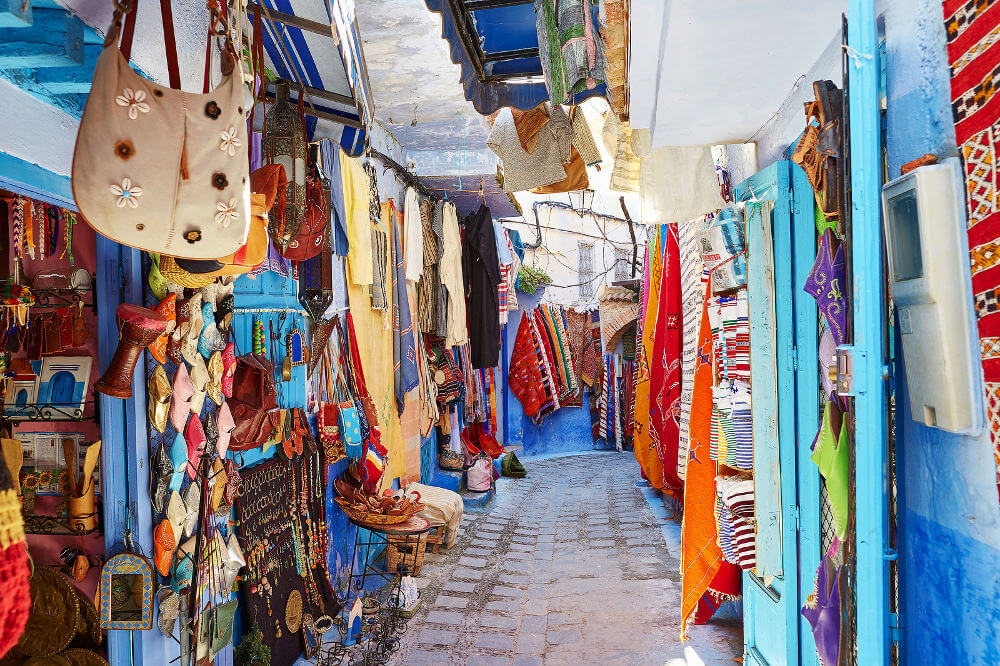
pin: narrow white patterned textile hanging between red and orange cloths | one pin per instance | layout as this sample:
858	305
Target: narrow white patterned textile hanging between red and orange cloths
693	281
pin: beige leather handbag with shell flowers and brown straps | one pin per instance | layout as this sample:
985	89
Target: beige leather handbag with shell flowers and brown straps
158	168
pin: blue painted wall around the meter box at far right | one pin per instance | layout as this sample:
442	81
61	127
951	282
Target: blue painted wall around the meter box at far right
949	518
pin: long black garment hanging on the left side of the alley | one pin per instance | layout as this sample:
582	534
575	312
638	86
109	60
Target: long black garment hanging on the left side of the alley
481	272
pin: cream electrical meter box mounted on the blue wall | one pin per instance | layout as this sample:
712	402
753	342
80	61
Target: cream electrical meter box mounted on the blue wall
925	233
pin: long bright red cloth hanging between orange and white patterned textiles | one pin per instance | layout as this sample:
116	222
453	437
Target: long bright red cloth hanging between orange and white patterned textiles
665	370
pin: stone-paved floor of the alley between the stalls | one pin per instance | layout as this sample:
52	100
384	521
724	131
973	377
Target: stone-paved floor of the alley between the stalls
566	566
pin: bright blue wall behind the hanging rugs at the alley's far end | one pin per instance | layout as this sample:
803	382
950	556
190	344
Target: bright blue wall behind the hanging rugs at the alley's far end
566	430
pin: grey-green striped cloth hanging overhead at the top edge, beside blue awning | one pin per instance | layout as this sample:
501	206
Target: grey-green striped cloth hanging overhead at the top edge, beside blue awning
571	54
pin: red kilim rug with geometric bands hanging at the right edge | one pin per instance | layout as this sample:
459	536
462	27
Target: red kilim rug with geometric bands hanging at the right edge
973	32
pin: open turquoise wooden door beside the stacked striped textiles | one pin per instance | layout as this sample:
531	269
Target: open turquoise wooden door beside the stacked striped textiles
781	248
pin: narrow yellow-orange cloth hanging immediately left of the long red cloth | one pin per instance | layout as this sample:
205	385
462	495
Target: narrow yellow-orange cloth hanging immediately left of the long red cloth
645	450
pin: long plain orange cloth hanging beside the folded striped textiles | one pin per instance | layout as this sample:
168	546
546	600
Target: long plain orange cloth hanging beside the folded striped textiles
700	553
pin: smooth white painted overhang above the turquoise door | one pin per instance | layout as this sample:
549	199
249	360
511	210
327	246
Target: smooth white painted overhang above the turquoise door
708	73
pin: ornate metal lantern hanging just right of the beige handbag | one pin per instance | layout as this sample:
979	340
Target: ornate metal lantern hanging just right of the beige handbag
285	144
